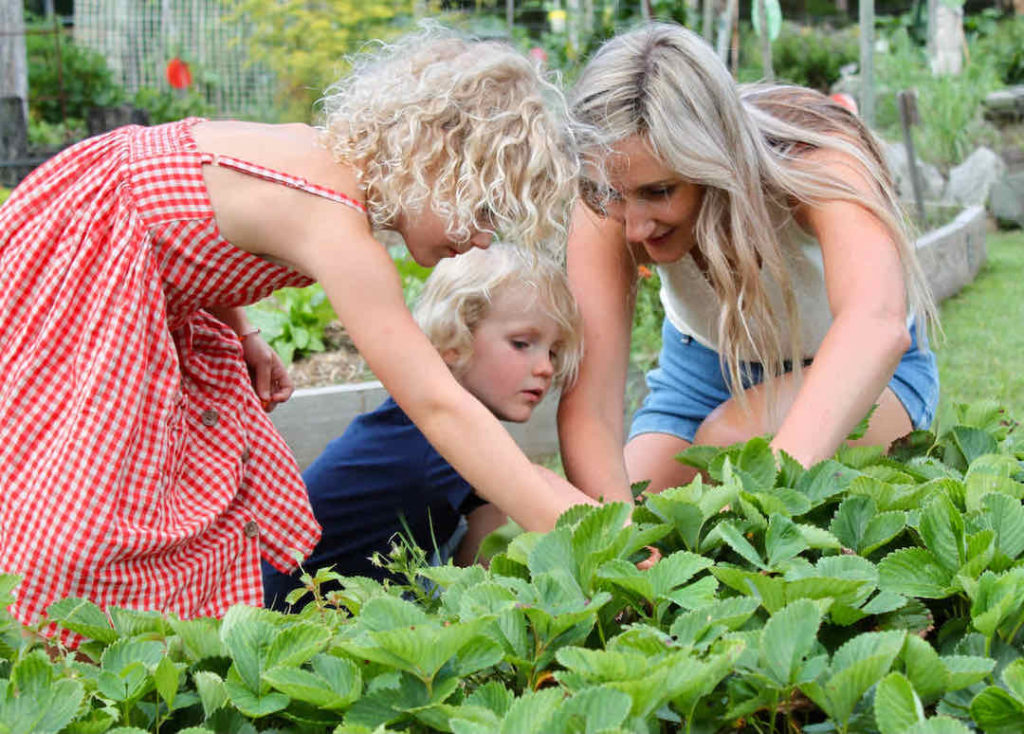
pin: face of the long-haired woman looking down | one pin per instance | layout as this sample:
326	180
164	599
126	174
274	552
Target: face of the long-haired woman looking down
657	207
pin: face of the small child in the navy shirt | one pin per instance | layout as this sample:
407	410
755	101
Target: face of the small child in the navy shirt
515	350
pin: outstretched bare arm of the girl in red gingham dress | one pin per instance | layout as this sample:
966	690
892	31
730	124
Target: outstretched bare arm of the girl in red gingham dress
365	289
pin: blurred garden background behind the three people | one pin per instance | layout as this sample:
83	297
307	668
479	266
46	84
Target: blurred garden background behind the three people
74	68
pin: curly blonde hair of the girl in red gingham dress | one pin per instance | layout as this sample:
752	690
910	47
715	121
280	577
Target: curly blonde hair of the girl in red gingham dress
468	128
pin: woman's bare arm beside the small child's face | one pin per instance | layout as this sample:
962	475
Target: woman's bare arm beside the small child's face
591	415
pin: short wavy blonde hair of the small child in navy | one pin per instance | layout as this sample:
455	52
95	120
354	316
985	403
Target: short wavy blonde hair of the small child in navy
458	295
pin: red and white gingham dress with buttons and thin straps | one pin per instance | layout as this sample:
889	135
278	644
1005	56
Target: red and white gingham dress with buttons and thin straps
138	468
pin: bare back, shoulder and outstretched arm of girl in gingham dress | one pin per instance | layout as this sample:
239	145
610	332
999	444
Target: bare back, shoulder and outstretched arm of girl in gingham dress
334	245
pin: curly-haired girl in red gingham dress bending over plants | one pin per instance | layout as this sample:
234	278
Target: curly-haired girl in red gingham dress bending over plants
139	467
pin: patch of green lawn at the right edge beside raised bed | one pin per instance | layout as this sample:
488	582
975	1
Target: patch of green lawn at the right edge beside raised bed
983	356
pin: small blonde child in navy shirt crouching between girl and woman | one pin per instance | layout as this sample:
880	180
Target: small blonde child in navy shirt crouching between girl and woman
507	327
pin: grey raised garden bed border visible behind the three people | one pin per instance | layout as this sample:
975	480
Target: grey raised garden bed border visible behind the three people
951	257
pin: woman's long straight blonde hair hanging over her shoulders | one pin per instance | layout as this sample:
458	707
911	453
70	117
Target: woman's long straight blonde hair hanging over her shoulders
747	148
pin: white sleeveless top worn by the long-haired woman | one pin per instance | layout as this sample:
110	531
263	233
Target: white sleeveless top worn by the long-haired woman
694	308
